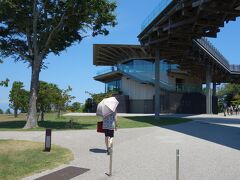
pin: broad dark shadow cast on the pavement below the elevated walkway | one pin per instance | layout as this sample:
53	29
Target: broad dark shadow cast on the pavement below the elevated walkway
209	129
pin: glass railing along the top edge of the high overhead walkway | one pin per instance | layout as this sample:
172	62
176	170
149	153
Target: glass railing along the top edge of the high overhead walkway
156	11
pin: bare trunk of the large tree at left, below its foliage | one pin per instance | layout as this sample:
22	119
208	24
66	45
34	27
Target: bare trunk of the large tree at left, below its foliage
32	110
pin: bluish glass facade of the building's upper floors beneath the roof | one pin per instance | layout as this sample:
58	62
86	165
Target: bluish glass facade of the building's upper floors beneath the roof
145	71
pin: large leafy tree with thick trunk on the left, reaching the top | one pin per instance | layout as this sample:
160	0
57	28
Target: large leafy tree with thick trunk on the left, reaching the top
32	29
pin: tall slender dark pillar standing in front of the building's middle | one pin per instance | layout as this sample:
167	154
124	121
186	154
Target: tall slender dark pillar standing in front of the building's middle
157	84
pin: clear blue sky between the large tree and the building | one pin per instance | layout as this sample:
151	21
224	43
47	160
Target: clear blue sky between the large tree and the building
75	67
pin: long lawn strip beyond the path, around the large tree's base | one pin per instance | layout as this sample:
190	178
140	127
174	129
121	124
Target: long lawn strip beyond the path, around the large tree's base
8	122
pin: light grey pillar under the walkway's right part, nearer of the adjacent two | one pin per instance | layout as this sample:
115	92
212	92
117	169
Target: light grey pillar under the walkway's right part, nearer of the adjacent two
208	90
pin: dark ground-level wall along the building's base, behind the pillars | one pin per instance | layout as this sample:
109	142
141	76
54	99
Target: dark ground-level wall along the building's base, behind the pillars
181	103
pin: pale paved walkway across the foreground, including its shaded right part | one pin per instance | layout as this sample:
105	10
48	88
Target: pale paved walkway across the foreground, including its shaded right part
209	149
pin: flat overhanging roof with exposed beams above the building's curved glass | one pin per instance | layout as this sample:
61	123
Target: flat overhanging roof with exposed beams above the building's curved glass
111	54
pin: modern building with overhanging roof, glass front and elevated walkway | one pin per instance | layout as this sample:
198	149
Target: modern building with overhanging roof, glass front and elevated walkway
166	72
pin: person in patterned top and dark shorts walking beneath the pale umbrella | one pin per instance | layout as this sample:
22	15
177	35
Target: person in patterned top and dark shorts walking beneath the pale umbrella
109	125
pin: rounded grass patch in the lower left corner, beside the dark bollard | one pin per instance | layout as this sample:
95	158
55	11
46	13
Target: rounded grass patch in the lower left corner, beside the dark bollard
23	158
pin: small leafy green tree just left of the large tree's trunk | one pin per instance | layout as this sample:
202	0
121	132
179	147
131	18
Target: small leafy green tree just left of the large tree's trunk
18	97
